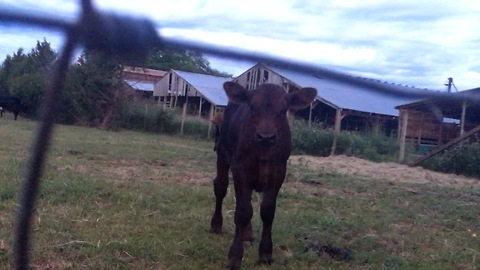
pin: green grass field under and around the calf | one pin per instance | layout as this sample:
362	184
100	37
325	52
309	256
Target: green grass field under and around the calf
128	200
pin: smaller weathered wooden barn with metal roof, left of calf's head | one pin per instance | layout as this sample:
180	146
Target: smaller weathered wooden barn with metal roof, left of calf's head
199	94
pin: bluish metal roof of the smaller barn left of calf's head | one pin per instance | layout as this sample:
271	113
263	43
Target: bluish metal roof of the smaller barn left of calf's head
211	87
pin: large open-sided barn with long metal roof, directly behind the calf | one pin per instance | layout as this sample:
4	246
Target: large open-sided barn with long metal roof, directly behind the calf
339	104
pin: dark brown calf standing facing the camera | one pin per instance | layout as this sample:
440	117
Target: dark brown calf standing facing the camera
255	143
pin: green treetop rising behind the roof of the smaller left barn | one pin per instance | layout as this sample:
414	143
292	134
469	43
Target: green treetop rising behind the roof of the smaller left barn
166	59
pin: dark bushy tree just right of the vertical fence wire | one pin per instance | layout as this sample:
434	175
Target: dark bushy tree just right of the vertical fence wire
94	93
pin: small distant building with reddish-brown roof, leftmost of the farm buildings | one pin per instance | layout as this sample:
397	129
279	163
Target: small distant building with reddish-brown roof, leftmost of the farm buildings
141	80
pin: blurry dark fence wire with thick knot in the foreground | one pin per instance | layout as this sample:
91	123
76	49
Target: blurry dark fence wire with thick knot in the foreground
129	38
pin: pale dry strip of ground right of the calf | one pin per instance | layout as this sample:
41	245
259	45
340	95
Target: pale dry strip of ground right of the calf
388	171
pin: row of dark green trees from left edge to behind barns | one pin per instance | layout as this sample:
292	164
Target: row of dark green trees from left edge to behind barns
94	93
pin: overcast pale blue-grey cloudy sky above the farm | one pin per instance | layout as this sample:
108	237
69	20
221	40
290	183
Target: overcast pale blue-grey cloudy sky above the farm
419	43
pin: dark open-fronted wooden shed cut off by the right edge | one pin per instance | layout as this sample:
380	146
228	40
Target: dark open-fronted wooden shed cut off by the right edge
438	121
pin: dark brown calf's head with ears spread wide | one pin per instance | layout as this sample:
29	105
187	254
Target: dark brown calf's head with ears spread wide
268	106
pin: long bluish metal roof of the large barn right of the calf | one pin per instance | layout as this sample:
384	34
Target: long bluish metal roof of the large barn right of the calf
349	96
